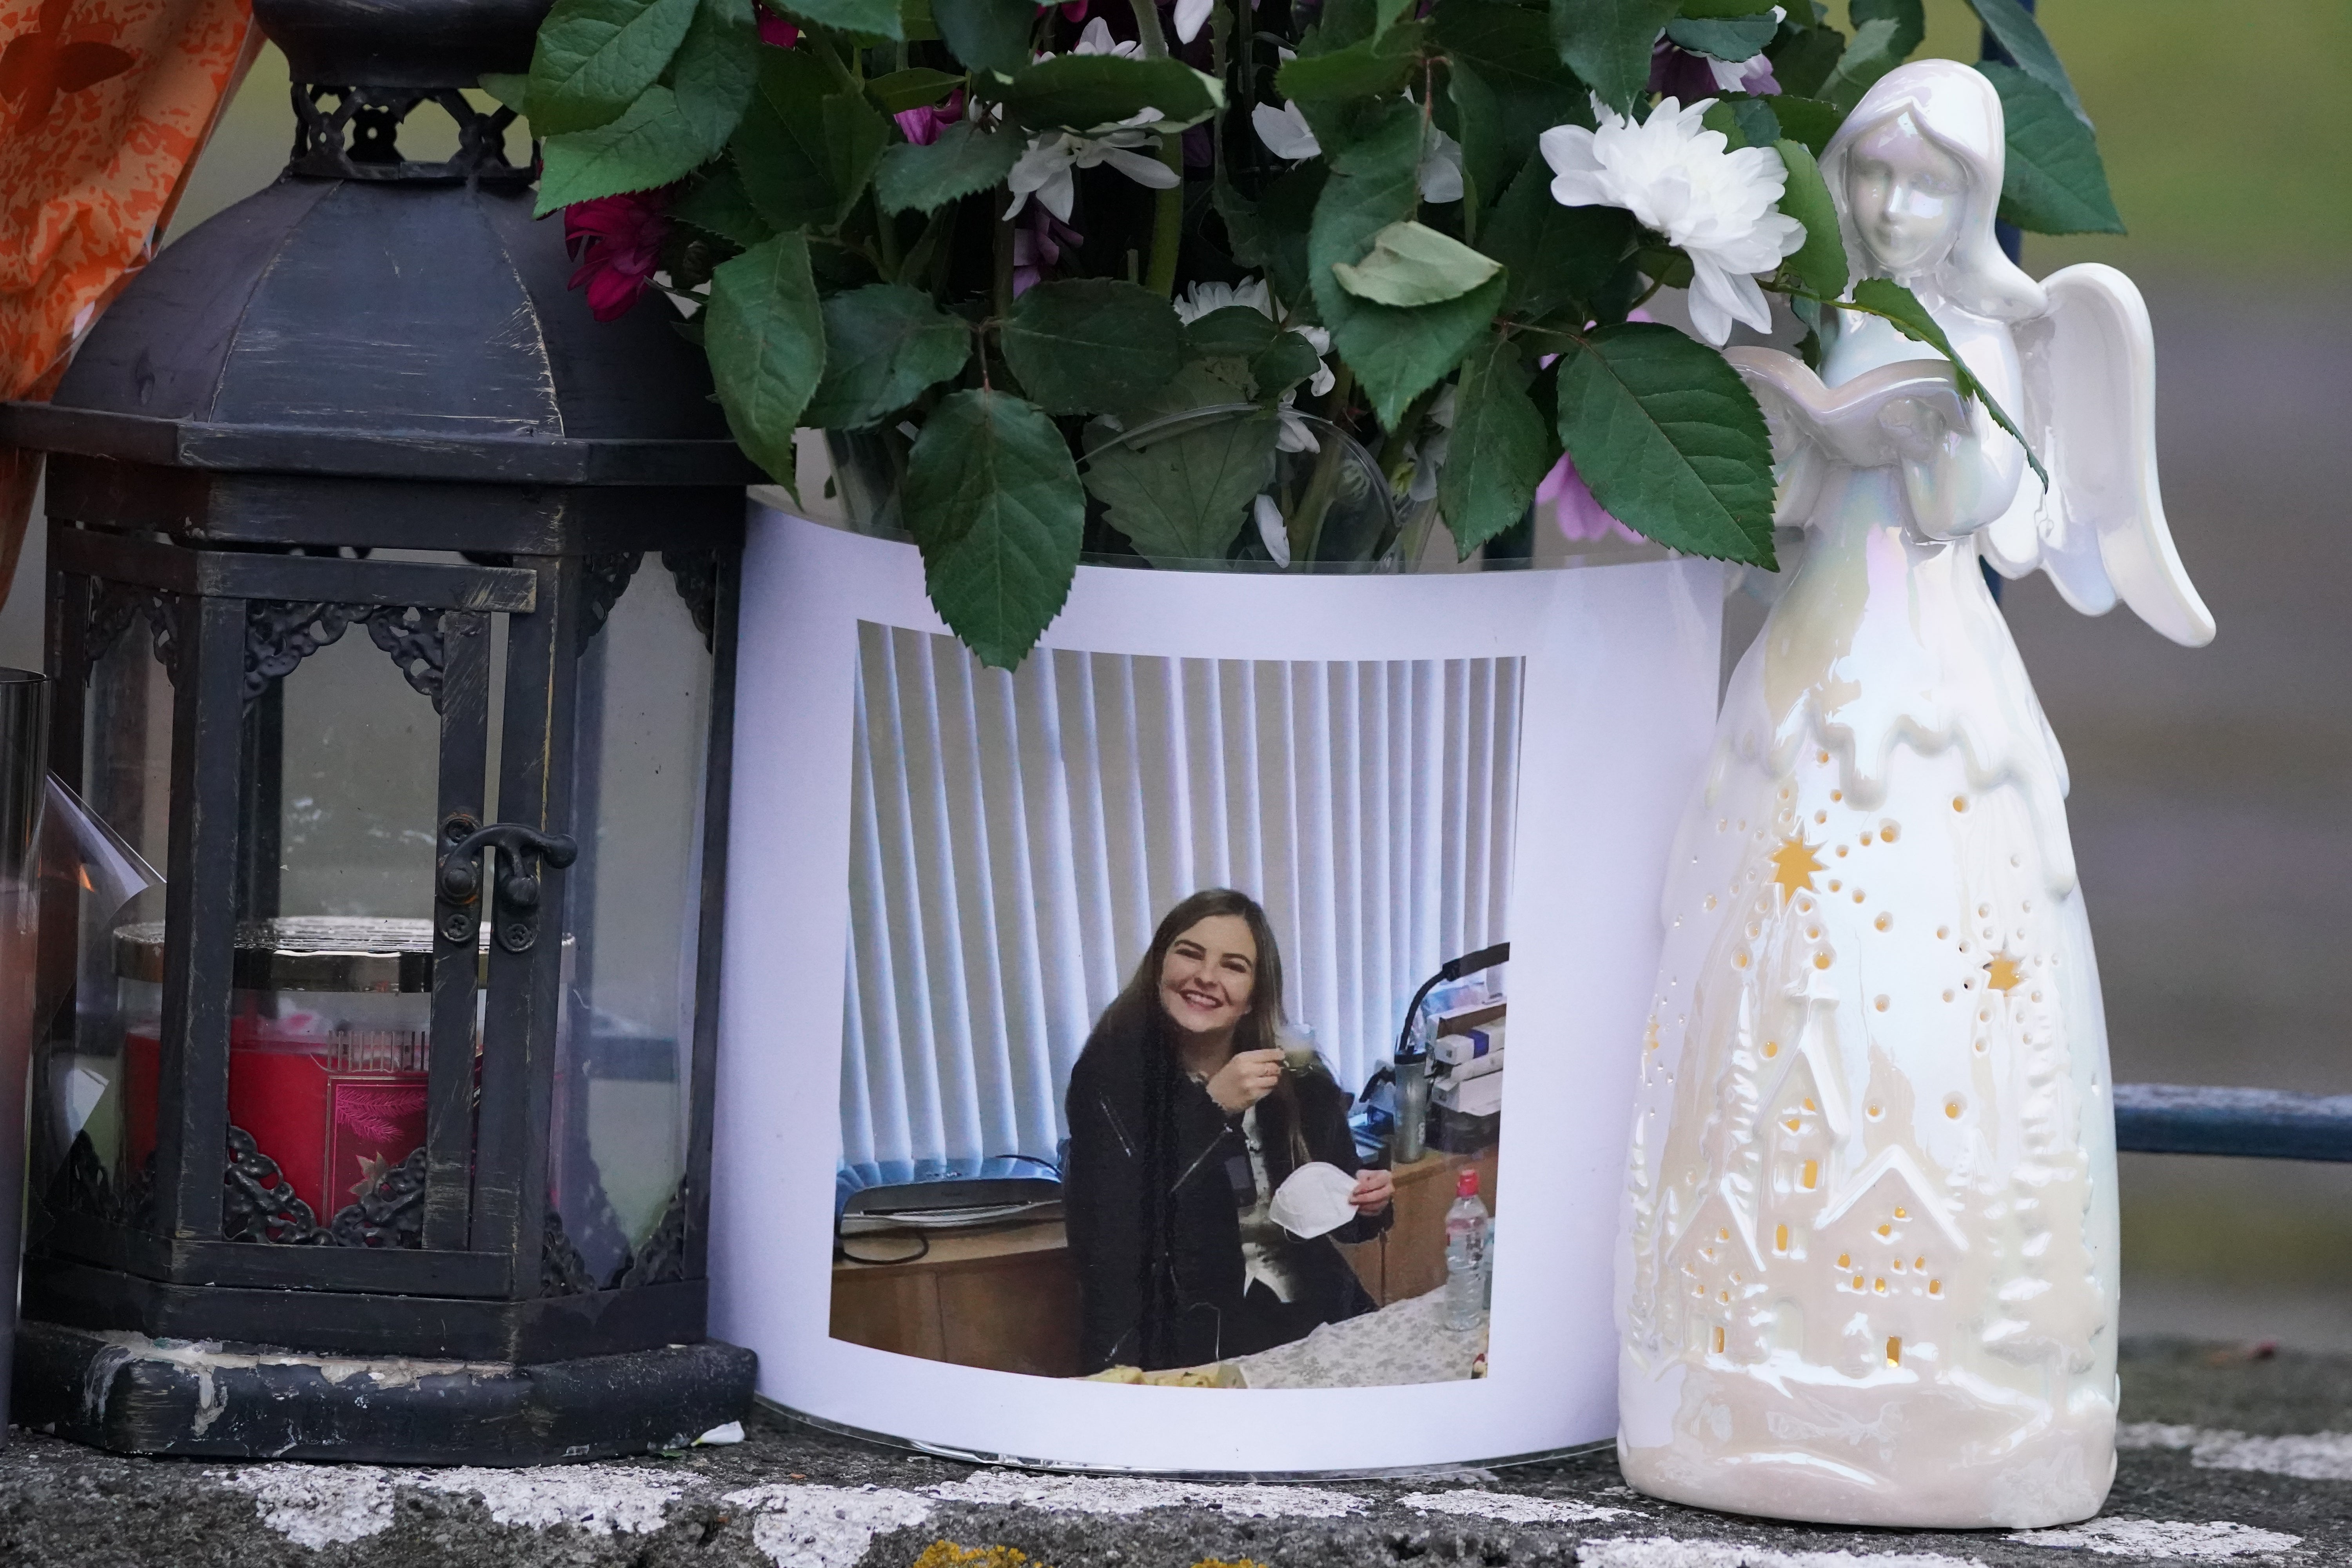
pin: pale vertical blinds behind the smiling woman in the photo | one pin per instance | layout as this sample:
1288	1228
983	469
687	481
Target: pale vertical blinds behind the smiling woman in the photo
1017	838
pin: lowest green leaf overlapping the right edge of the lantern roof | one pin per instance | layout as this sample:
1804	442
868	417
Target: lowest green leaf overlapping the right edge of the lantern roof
768	347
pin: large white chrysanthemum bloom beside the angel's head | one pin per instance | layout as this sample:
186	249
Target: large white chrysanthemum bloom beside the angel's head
1683	180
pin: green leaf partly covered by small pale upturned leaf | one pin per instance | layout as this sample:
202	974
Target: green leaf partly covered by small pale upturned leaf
1396	354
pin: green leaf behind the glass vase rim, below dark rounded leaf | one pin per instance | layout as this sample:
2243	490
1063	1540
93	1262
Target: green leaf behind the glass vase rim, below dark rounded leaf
1187	495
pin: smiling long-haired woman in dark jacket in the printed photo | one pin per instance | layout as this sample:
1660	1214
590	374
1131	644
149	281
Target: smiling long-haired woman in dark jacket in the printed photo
1184	1123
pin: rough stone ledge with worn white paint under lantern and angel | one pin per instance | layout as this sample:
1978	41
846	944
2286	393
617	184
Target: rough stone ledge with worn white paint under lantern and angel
2229	1459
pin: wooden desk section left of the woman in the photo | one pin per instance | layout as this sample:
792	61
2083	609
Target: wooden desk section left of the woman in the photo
1003	1299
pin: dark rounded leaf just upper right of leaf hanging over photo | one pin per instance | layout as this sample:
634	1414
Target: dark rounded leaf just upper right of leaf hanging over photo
1093	344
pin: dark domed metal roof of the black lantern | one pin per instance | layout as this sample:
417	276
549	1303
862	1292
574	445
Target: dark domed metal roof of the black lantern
399	328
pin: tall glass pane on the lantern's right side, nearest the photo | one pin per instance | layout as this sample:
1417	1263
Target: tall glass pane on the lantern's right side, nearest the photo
634	916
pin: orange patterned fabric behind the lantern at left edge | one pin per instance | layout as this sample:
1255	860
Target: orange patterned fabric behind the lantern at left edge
105	107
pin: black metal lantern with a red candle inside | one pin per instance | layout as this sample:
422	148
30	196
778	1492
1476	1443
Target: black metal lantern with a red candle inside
392	617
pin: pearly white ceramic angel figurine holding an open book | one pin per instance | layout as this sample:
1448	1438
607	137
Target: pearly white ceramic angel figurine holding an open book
1869	1261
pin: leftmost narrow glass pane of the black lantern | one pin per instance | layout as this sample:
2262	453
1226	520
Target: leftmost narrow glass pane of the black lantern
126	772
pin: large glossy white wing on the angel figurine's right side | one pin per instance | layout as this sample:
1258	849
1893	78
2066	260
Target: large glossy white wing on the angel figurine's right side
2092	417
